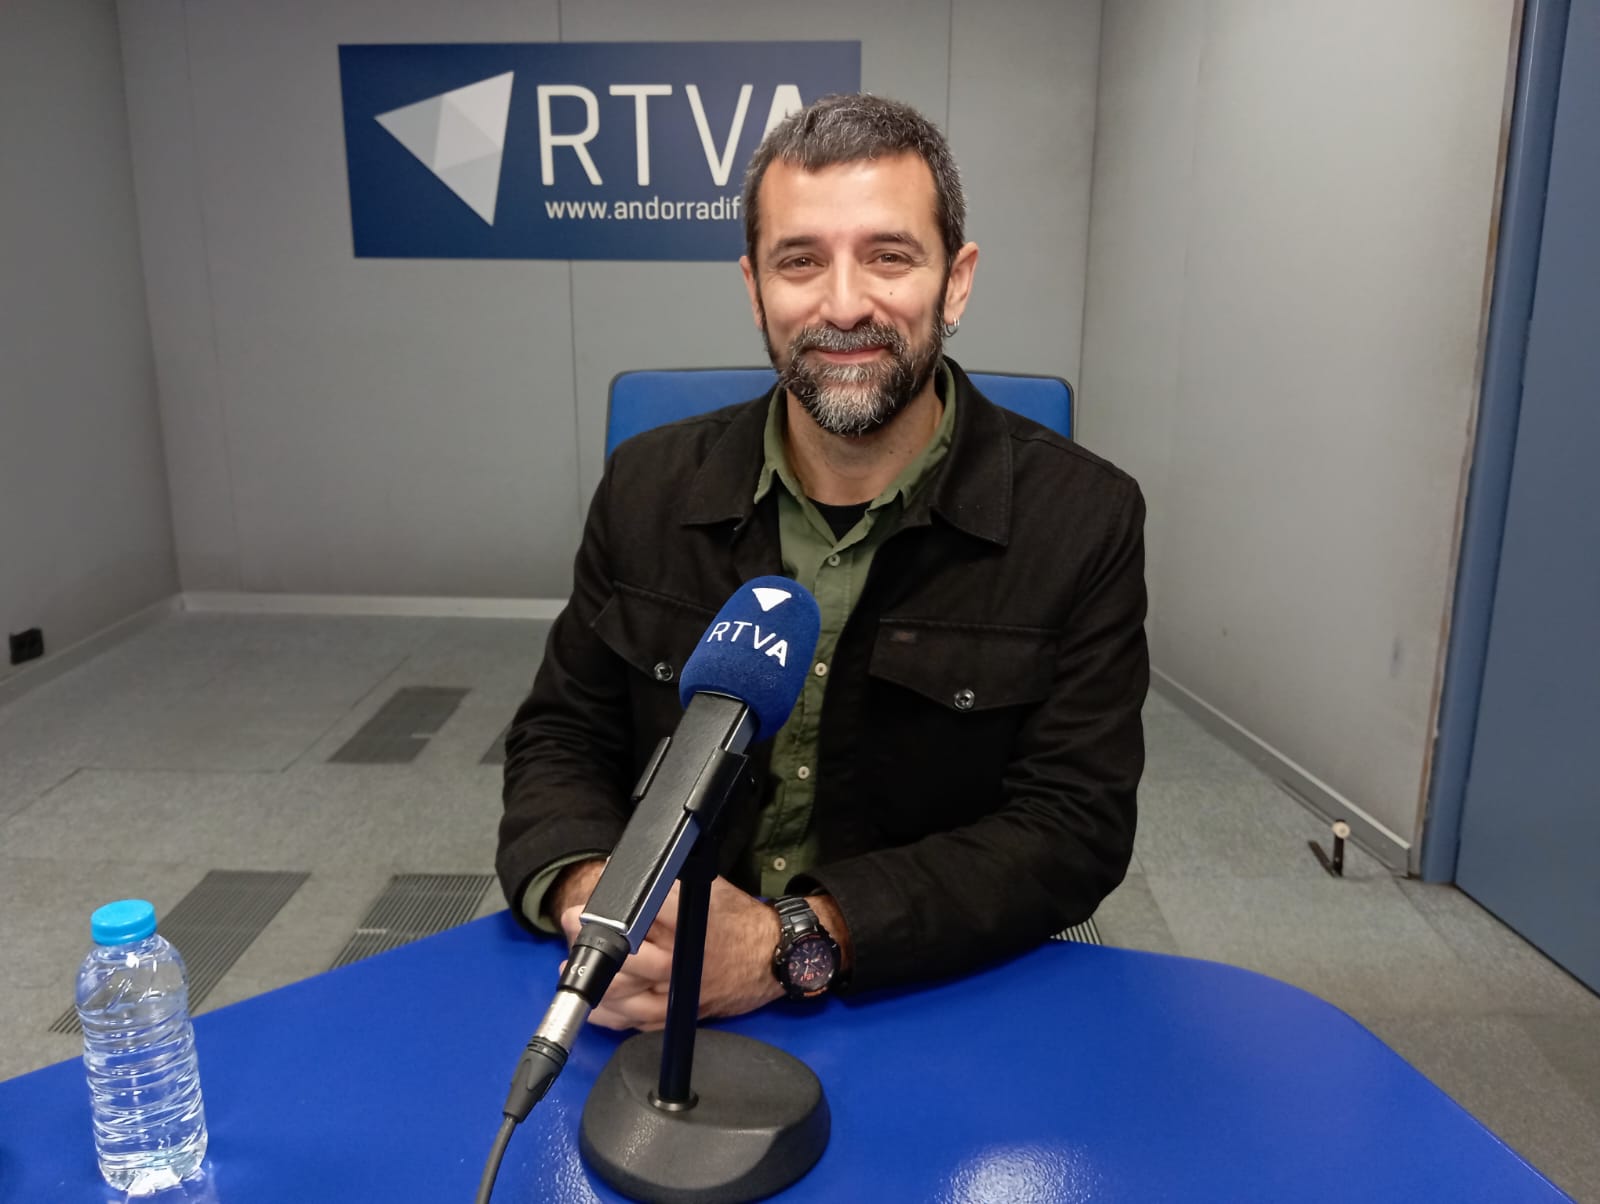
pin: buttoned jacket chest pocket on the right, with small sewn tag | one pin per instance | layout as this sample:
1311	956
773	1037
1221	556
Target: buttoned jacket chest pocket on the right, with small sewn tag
945	708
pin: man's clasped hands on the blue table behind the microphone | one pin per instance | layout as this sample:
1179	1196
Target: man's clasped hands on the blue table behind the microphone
742	934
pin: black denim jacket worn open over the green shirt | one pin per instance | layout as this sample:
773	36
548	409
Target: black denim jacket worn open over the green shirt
982	742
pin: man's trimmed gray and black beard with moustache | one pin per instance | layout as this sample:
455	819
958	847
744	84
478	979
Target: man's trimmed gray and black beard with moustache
855	399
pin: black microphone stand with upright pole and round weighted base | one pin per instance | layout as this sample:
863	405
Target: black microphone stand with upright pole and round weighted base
759	1120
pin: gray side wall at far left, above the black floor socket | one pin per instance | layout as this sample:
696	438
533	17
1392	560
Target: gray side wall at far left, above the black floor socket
86	524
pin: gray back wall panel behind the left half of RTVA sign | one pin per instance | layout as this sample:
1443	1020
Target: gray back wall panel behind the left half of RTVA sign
390	427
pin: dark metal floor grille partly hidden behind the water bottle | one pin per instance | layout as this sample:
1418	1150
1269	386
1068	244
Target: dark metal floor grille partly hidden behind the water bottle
214	925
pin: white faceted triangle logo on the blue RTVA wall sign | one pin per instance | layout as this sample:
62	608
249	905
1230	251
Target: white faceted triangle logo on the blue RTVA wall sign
460	137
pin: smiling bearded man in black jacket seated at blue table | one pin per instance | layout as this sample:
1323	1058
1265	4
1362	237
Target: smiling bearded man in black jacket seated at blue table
958	781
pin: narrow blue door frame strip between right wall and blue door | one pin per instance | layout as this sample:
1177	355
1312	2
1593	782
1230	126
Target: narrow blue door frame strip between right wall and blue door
1540	55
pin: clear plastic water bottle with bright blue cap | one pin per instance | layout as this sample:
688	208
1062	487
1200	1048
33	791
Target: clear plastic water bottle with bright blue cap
140	1053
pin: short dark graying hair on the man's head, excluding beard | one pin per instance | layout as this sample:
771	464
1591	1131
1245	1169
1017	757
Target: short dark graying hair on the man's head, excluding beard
849	130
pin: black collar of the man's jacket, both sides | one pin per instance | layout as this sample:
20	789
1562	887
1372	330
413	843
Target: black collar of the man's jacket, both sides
970	489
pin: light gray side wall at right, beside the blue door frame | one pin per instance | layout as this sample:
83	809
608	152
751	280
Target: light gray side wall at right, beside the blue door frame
1290	244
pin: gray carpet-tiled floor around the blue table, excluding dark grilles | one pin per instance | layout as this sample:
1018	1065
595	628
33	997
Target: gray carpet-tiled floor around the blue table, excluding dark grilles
204	744
